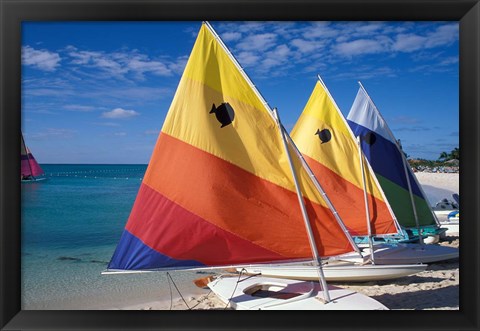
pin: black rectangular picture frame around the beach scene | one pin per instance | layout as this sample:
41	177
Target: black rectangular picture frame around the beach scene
14	12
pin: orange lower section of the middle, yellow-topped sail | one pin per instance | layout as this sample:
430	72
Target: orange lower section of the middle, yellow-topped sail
354	218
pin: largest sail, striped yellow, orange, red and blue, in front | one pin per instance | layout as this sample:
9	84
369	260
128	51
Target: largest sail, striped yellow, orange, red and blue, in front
218	189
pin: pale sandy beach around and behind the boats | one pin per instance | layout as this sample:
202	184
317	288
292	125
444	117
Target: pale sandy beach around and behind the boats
436	288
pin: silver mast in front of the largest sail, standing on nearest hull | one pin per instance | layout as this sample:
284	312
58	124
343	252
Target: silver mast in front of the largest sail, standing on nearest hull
306	219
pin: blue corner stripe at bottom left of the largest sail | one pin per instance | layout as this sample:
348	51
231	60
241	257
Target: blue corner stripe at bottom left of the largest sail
132	254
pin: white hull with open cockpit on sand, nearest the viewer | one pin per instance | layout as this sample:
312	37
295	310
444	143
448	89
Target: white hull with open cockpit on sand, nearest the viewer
263	293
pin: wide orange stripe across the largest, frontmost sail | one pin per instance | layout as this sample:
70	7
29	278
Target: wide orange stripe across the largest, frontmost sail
231	198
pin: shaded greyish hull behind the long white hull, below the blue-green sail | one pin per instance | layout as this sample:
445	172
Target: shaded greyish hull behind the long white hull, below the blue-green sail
407	254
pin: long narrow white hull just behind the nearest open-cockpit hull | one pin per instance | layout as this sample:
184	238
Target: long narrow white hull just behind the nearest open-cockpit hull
342	273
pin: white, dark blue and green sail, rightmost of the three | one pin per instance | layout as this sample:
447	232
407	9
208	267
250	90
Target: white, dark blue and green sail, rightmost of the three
388	162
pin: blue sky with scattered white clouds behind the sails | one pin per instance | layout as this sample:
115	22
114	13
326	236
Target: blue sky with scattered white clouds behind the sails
98	92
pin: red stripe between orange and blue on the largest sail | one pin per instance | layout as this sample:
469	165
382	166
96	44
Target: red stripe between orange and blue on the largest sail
174	231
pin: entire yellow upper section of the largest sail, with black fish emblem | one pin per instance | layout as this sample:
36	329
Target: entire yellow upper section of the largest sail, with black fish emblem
228	115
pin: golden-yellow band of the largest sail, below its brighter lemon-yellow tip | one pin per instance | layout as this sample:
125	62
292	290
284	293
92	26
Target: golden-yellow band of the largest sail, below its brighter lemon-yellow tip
227	142
